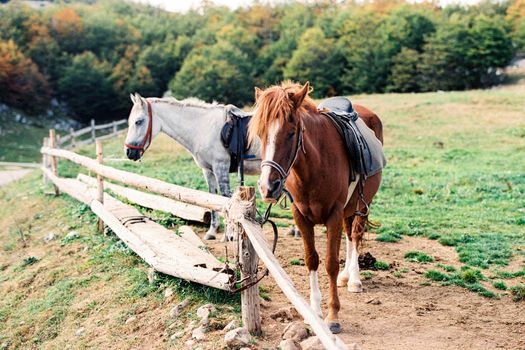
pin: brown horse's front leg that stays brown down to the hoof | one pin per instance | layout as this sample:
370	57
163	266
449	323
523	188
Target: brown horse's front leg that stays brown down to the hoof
333	243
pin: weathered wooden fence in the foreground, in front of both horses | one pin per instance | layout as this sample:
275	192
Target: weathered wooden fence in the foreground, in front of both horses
239	213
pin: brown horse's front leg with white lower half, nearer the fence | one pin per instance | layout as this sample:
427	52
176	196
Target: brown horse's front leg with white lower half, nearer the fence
311	258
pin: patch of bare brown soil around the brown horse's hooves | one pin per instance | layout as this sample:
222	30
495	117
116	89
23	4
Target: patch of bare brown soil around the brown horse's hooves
401	312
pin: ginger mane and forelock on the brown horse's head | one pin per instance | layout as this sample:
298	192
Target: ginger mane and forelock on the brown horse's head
273	104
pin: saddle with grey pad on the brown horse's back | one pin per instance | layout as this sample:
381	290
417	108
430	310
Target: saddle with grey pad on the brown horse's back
364	150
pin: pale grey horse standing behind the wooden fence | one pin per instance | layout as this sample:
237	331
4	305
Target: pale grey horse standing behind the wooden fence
195	125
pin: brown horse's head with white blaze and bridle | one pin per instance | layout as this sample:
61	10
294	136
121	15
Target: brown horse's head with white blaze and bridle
278	124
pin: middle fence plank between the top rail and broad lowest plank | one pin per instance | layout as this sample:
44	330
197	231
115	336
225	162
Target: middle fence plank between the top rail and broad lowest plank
147	200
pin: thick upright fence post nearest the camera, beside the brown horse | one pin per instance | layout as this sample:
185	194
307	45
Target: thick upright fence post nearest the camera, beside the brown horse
251	316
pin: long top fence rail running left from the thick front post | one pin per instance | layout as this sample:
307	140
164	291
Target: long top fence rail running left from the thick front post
179	193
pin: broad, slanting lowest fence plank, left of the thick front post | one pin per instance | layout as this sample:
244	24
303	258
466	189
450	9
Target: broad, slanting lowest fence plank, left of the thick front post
165	251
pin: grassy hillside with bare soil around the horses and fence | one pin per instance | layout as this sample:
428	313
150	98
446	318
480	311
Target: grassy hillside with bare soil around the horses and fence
453	191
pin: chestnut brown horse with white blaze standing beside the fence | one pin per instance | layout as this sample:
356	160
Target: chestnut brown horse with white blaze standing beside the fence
302	147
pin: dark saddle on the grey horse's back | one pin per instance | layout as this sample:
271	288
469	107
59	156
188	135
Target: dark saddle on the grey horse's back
234	135
